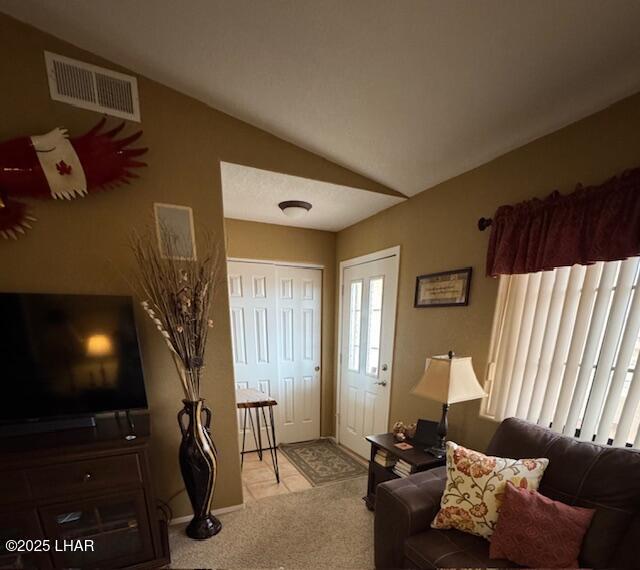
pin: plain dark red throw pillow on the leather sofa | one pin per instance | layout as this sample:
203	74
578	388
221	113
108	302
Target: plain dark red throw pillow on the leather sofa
532	530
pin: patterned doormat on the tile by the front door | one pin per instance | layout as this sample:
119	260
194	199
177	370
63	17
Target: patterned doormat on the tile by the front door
322	461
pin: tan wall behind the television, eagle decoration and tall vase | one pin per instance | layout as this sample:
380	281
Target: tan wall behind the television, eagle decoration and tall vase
80	246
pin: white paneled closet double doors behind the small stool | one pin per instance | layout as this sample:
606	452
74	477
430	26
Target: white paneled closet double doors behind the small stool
275	331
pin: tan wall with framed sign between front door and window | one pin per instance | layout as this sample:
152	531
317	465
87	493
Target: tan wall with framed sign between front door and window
437	231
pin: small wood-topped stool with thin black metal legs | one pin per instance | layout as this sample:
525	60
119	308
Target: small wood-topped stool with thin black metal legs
248	399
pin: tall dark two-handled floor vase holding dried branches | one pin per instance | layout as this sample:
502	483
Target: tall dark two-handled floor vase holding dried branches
199	466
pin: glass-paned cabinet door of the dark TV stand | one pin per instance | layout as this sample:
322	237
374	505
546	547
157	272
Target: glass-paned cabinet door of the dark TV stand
108	532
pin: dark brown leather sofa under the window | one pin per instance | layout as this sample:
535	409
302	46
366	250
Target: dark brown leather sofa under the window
579	473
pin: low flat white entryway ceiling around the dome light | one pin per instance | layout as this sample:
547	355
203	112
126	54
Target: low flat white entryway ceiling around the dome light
254	194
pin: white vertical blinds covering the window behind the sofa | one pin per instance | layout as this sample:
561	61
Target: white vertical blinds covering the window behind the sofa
564	351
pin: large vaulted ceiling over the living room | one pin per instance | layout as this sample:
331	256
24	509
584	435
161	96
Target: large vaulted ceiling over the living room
407	93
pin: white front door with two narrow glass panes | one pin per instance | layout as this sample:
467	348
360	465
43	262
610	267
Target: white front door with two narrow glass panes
368	325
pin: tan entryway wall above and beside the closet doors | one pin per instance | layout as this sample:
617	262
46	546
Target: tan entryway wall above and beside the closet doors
253	240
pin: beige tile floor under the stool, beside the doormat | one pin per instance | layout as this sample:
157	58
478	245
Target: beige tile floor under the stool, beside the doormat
259	480
